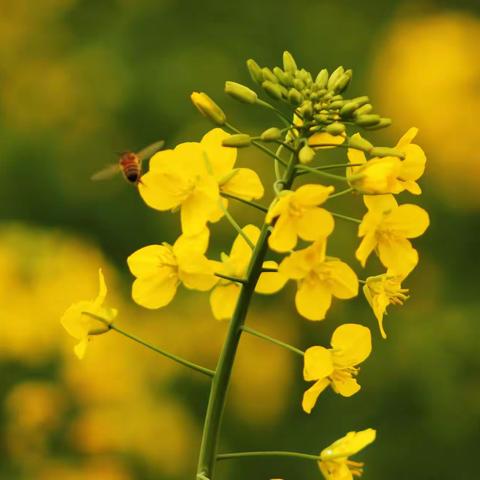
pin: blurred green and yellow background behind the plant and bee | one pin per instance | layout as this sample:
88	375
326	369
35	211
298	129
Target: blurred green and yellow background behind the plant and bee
80	80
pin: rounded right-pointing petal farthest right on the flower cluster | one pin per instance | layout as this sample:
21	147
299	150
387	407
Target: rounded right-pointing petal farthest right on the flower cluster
407	220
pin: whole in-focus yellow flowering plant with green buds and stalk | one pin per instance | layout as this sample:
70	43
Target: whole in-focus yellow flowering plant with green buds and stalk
199	179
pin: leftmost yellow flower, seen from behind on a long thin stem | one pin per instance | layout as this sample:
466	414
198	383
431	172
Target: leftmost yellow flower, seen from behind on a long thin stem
87	318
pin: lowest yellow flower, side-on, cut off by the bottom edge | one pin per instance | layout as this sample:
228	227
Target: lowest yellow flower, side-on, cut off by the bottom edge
335	464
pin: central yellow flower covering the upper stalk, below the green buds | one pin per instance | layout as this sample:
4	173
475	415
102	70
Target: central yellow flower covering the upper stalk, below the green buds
298	215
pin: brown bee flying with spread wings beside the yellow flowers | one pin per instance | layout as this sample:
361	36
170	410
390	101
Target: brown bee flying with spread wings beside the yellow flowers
129	164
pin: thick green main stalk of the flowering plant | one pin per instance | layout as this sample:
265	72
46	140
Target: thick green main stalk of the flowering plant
221	379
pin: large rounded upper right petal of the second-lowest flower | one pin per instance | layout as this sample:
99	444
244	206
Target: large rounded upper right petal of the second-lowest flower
352	344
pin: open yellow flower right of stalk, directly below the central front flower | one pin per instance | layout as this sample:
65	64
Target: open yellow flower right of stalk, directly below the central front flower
319	279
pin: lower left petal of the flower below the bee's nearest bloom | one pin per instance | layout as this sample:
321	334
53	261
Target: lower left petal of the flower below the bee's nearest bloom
154	292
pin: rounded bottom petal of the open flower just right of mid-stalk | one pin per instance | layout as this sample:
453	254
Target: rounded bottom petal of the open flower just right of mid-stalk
312	300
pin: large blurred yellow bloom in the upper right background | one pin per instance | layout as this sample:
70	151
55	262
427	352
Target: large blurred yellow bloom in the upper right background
426	72
